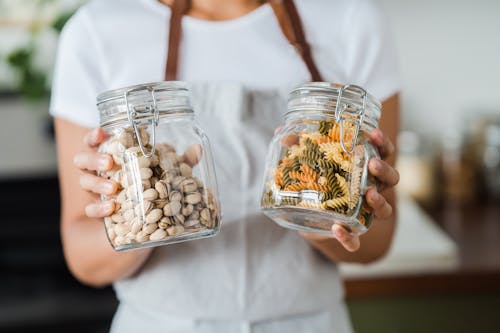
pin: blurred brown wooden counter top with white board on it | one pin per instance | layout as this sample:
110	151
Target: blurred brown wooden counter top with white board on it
467	258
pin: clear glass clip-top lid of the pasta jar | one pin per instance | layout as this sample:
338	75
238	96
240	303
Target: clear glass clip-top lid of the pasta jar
324	96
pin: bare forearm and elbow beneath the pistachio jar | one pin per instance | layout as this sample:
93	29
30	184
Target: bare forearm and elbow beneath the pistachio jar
90	257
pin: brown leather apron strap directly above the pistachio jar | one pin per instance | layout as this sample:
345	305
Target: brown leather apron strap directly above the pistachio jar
179	8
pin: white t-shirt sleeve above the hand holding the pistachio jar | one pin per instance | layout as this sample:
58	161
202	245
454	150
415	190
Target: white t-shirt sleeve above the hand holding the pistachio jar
78	73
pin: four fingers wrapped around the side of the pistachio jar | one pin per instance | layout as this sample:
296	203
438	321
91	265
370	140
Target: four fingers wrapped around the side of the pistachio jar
90	162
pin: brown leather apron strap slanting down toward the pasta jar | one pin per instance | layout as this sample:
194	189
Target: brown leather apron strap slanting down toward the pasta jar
291	25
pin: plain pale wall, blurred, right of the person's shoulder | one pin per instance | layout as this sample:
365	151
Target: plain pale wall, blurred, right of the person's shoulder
450	60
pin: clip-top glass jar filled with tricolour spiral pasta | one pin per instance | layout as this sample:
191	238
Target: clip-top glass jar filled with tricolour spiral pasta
317	165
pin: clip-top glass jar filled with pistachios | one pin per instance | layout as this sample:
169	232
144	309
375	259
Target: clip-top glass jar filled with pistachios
163	165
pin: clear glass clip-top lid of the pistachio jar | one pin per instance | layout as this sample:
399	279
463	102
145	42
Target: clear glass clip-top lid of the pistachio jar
143	100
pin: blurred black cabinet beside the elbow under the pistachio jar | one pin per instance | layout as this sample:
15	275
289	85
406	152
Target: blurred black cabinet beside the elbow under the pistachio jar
37	293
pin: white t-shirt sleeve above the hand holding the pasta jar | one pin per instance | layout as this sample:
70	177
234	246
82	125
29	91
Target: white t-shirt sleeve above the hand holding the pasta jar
370	55
